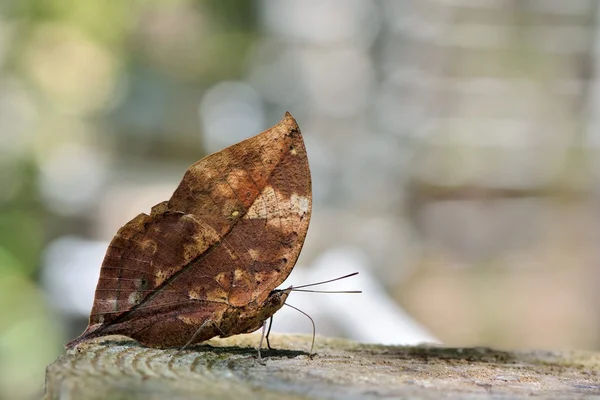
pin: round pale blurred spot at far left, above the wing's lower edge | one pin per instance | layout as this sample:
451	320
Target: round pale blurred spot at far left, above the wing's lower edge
71	177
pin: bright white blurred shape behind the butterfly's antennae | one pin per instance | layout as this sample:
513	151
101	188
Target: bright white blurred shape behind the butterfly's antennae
371	316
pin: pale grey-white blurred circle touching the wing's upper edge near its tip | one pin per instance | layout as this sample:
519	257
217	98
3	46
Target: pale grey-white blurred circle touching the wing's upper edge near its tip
230	112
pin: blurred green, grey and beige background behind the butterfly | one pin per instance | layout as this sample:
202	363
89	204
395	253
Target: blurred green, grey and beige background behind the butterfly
453	148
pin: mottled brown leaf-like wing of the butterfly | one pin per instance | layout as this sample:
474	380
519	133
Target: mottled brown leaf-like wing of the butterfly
230	234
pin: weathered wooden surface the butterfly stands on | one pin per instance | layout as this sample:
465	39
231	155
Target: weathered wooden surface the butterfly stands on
228	369
